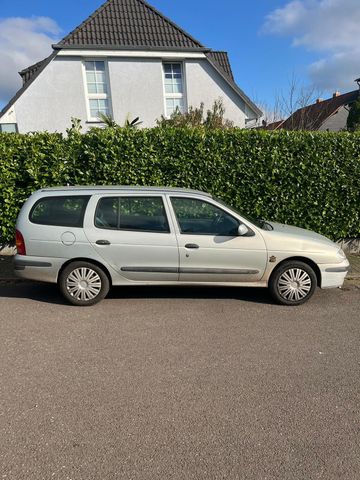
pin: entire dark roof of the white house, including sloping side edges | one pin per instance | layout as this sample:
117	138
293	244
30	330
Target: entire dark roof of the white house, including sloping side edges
132	25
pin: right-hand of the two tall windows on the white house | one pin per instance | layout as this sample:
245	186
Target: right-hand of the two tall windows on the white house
174	88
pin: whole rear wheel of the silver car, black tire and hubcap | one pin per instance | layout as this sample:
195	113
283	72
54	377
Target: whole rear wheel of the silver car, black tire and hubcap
83	283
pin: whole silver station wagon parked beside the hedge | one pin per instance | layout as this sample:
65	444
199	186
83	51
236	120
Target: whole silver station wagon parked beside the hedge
87	239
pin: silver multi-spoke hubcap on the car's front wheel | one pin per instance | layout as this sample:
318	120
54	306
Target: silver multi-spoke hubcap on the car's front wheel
294	284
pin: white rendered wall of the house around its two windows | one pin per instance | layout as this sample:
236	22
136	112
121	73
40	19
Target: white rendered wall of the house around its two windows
58	93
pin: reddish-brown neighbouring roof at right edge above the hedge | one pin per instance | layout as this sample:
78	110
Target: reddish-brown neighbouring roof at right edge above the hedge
313	116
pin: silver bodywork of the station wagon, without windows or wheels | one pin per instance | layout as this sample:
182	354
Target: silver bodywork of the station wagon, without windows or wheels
134	257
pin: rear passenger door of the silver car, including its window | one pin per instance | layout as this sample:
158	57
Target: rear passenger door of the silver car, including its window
133	234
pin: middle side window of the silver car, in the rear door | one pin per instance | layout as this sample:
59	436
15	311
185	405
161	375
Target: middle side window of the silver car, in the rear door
145	214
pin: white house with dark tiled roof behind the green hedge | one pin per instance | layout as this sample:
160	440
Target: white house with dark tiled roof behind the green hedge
125	59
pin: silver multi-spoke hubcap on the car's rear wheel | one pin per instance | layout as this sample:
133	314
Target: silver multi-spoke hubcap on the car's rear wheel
83	284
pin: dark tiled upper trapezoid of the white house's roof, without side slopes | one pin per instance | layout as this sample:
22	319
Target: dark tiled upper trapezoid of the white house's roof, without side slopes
129	23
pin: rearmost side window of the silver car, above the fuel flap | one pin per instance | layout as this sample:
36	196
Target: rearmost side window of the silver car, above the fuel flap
62	211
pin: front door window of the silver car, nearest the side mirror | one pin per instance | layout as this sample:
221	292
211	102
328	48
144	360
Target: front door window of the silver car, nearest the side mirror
202	218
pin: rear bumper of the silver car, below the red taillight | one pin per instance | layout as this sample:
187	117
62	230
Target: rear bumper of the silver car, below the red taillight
42	269
